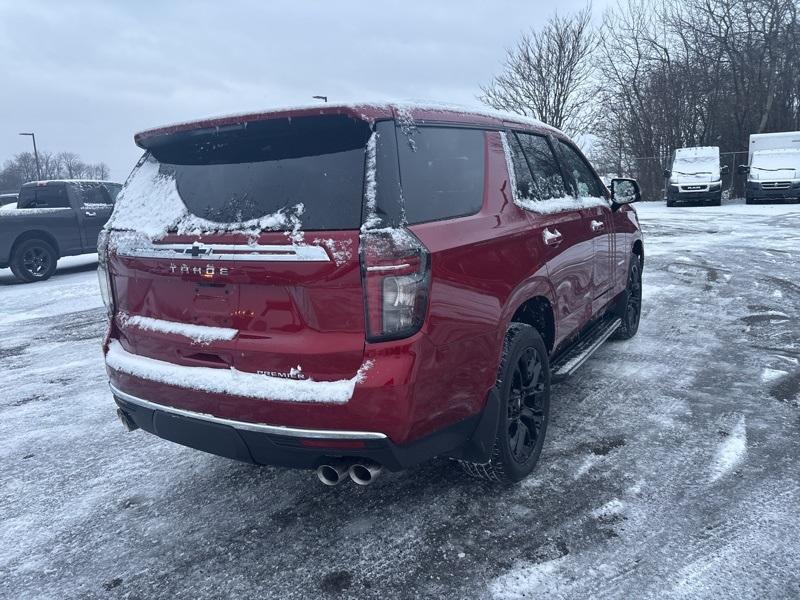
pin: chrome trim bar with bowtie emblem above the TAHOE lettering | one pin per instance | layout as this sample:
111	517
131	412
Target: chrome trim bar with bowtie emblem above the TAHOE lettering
232	252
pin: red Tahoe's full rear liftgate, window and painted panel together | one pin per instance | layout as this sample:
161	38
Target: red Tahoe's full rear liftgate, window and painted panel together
254	230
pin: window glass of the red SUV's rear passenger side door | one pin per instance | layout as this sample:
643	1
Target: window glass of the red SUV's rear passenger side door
544	180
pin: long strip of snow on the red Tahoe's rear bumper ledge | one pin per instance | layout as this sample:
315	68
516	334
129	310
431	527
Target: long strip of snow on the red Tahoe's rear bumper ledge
231	381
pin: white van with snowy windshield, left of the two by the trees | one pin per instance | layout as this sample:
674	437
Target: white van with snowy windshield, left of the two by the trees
695	176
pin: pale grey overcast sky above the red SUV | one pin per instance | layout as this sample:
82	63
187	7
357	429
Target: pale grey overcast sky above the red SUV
86	75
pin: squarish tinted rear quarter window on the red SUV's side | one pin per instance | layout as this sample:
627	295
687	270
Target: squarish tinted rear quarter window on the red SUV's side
441	172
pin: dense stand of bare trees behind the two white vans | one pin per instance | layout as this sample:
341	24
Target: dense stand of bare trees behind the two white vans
680	73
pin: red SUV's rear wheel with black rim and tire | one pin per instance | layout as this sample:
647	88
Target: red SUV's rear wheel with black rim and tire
523	387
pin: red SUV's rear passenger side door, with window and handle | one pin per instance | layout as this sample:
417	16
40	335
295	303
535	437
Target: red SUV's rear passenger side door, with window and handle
557	218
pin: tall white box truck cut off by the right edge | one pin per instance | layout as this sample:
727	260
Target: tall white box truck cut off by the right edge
773	167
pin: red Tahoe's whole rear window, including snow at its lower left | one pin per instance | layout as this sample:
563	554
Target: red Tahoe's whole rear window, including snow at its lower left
271	175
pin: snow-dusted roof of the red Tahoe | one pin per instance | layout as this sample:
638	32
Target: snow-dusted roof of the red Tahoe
367	111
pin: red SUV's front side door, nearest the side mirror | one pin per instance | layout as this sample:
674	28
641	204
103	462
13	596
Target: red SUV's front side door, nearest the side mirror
598	222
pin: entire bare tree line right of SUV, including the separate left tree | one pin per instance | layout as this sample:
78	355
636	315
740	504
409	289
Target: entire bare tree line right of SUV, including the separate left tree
655	75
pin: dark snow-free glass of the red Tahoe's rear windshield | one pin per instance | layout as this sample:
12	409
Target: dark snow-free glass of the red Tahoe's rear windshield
241	173
